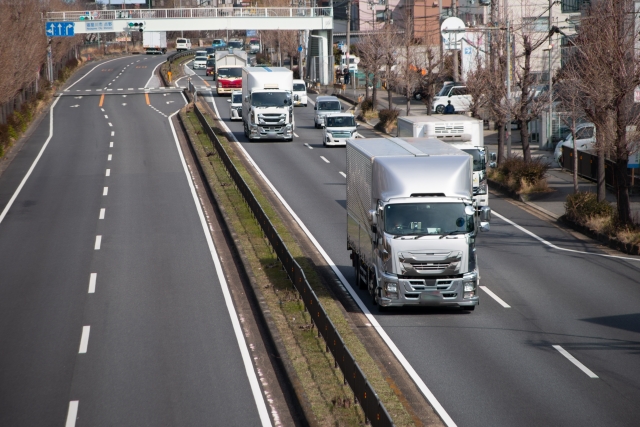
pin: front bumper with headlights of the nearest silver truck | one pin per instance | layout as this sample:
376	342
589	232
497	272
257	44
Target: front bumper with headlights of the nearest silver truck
433	292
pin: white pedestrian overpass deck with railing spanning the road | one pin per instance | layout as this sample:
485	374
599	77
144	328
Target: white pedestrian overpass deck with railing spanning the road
197	19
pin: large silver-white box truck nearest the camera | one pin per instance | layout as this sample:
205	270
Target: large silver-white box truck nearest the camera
412	222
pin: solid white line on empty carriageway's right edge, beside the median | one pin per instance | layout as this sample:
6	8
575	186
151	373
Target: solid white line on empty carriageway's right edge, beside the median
242	344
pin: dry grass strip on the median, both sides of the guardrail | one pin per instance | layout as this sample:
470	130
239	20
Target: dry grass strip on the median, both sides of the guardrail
331	401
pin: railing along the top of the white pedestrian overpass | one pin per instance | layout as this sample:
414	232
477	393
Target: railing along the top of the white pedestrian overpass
196	12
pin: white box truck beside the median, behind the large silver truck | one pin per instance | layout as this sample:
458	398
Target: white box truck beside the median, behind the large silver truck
267	103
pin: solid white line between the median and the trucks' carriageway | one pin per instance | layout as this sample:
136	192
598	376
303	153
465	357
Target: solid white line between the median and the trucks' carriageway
444	416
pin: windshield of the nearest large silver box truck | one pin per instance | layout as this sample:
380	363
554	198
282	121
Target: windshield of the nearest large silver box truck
426	218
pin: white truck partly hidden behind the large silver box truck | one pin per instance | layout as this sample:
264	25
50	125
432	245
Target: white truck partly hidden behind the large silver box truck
463	132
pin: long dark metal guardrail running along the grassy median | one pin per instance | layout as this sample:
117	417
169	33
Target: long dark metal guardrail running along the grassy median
374	410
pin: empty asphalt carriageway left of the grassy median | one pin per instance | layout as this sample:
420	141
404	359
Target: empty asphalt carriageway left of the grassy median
111	308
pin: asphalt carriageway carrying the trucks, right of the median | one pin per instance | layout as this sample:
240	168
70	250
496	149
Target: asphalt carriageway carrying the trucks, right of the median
496	366
